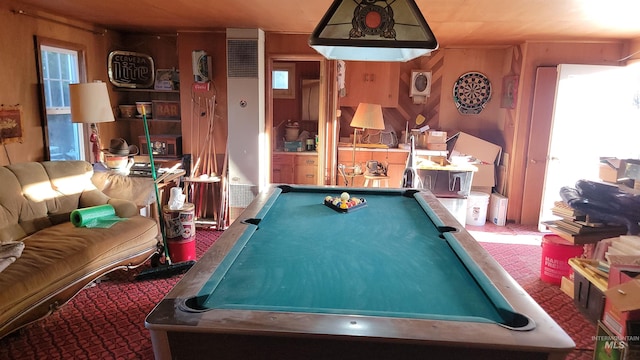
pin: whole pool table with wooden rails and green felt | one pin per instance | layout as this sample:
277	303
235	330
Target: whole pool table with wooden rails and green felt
395	278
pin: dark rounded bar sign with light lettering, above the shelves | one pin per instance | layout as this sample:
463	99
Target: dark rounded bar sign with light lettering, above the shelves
130	69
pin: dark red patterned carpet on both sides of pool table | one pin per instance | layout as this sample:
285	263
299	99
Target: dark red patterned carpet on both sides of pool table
106	321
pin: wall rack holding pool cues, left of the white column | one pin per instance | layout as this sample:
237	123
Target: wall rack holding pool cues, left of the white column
205	186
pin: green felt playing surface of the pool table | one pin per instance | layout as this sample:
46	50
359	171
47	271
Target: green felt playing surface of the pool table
386	259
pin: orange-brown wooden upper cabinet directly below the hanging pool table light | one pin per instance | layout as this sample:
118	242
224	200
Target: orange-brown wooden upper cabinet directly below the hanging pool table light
371	82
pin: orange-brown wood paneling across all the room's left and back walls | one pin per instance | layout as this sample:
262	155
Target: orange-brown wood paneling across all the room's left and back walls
508	128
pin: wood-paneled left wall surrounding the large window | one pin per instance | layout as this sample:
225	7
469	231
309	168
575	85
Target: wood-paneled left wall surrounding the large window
19	85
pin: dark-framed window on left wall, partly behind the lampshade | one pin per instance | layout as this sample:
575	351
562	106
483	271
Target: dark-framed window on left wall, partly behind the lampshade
60	66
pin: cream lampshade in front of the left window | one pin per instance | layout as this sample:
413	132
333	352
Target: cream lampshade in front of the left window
90	103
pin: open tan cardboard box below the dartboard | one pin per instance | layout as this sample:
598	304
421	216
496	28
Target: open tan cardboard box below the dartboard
486	154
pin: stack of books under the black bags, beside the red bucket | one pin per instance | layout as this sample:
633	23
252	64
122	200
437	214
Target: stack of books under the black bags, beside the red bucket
580	228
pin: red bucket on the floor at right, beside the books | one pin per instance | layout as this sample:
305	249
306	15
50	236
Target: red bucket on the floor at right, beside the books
556	253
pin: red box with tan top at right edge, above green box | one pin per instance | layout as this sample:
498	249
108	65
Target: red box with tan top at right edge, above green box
622	309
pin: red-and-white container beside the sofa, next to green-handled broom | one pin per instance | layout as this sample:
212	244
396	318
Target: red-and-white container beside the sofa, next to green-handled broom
181	232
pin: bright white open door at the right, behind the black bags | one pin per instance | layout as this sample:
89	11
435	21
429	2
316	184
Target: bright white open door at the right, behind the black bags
596	114
